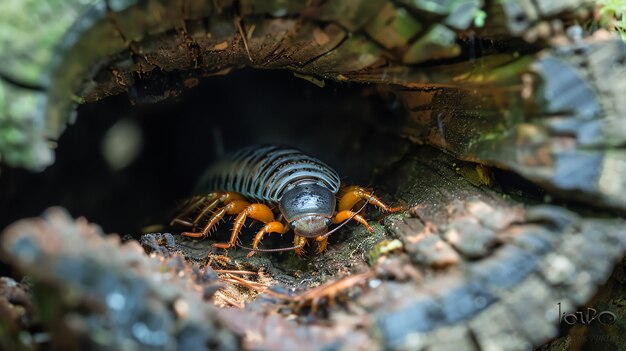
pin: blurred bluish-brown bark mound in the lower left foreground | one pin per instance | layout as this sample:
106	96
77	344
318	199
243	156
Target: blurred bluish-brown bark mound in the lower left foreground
101	295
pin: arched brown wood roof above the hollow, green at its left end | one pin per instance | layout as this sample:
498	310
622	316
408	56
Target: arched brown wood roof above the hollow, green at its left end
153	49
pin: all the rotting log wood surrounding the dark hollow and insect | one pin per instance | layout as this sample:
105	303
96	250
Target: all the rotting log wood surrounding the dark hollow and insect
509	162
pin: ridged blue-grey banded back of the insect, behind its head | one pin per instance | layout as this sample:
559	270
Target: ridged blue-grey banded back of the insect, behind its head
265	173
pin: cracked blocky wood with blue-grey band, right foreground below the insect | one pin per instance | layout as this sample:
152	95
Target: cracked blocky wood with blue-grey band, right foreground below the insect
487	271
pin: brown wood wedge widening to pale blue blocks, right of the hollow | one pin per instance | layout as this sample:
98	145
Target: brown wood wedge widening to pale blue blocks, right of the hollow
563	126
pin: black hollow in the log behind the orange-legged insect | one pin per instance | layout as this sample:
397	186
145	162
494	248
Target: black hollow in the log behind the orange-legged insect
352	127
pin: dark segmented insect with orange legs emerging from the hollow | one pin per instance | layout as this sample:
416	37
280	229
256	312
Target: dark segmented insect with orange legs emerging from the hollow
302	188
